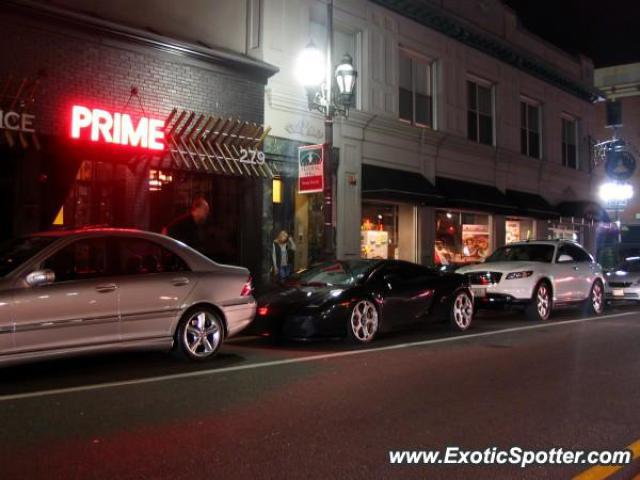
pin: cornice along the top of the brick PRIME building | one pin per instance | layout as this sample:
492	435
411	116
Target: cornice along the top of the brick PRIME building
96	26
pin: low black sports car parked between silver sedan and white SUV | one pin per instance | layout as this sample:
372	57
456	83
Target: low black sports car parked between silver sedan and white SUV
358	299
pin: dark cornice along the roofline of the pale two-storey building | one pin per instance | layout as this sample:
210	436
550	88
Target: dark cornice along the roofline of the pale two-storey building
430	16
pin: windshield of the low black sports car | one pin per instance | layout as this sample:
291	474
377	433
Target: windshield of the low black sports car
333	273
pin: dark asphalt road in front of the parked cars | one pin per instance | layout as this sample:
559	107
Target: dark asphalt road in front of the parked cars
326	410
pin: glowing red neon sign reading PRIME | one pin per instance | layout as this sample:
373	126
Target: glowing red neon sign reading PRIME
101	126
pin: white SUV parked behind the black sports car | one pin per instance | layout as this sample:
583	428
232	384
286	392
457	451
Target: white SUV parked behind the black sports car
539	276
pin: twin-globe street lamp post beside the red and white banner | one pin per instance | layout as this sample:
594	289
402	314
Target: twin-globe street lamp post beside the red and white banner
315	72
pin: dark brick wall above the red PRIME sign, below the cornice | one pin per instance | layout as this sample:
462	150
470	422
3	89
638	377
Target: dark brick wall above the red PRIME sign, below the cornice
100	71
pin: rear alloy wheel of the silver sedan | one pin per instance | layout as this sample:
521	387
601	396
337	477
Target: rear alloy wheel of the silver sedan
199	334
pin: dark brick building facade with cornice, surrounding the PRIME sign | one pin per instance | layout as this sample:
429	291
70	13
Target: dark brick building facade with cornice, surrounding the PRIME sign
66	59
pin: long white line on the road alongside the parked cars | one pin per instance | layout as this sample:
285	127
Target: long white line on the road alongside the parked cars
310	358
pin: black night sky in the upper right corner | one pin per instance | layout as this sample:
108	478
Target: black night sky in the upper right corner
608	32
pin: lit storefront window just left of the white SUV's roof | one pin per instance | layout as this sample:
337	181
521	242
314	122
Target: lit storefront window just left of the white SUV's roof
462	237
